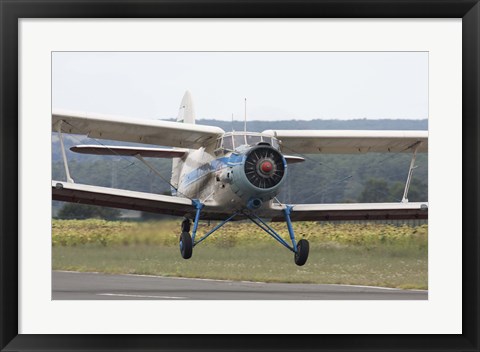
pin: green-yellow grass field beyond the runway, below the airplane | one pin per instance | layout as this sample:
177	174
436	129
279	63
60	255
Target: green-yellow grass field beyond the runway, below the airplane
378	255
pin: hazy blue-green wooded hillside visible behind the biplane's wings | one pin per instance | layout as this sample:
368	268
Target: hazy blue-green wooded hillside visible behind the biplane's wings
320	179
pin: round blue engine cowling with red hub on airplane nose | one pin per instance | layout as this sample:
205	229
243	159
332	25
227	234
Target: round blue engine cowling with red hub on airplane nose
259	175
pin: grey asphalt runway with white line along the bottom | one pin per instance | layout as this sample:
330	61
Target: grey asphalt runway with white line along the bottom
97	286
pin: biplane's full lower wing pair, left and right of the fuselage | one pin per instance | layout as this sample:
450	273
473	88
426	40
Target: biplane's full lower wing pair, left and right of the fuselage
176	206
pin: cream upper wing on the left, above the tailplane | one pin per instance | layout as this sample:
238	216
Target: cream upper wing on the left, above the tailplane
165	133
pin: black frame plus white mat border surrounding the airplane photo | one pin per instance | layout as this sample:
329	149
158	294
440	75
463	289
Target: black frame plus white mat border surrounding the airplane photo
32	31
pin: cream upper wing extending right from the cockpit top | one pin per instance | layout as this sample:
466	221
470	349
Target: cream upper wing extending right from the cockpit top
350	142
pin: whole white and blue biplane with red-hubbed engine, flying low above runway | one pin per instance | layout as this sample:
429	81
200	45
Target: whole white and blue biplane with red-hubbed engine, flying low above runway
225	176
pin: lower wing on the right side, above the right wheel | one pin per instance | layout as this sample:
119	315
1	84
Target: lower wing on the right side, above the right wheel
352	211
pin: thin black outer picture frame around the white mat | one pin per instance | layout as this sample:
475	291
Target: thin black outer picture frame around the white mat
12	10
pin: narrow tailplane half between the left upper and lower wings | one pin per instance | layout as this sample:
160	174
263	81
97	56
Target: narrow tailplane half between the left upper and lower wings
129	151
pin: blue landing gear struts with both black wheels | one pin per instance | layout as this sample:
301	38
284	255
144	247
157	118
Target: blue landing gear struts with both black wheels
187	242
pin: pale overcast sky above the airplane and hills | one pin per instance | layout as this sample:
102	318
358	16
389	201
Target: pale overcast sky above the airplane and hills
277	85
